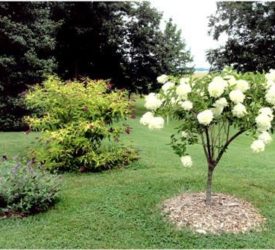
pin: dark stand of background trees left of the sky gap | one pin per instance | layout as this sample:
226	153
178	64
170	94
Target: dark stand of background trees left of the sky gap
119	41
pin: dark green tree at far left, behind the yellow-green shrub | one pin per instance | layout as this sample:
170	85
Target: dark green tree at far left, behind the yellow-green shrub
26	45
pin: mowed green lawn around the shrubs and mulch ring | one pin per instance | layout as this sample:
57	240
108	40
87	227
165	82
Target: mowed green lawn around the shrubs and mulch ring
121	208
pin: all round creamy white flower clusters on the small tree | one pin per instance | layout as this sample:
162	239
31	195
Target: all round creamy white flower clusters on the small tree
228	93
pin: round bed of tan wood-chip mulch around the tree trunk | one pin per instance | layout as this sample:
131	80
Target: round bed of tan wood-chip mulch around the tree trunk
227	214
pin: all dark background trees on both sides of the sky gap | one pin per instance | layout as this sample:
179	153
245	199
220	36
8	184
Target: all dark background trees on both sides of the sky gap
119	41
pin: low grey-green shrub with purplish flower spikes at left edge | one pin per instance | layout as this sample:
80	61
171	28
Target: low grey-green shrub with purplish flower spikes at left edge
26	189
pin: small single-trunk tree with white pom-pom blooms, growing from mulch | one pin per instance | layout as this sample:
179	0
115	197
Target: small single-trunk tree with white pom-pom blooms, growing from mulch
214	110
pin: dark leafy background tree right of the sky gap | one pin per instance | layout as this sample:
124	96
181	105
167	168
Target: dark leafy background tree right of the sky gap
250	28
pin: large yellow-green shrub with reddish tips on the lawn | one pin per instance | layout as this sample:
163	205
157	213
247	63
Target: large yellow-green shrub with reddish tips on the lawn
81	124
